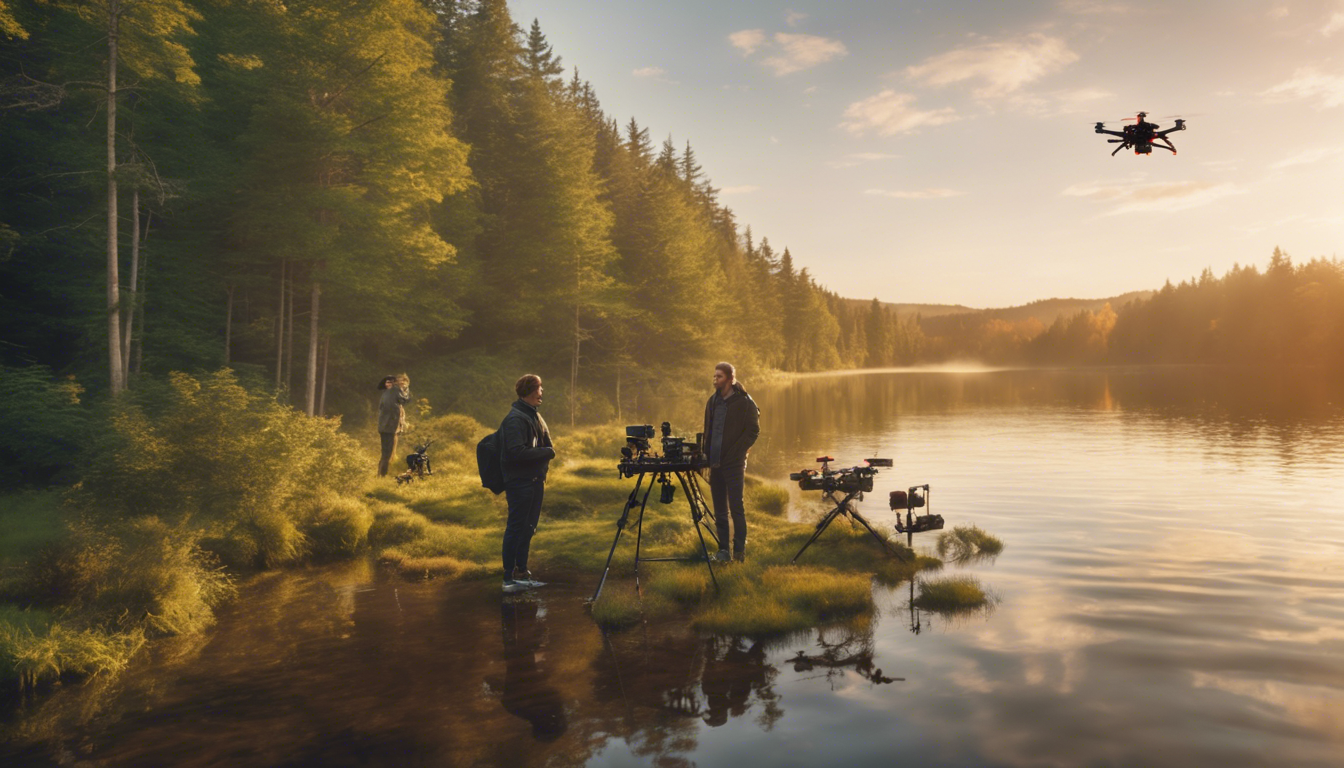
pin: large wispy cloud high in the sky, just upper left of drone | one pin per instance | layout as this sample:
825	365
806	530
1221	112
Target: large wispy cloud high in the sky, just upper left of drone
999	68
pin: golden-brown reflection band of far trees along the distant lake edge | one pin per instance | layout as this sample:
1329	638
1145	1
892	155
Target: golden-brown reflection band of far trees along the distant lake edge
810	416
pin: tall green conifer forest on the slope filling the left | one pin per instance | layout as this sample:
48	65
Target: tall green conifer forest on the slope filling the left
322	192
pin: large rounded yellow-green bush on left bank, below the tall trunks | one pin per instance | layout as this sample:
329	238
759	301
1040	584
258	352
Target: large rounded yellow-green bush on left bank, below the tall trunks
235	463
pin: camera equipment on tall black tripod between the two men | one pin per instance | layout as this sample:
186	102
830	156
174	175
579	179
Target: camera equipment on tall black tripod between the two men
678	465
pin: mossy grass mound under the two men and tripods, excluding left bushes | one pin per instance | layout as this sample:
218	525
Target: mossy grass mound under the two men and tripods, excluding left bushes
447	527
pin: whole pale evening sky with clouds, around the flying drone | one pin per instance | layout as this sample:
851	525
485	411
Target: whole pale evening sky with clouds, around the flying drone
946	153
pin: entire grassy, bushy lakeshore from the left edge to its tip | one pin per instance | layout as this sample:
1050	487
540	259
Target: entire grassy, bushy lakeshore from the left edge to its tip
201	482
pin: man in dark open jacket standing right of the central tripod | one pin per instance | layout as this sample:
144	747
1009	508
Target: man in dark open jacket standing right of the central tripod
732	427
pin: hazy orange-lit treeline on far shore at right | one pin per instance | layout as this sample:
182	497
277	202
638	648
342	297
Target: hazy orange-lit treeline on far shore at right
1287	315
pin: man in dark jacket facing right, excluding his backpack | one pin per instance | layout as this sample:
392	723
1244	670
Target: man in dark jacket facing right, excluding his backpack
526	445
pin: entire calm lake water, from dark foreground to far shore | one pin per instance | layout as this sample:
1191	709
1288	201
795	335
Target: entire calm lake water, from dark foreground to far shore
1171	594
